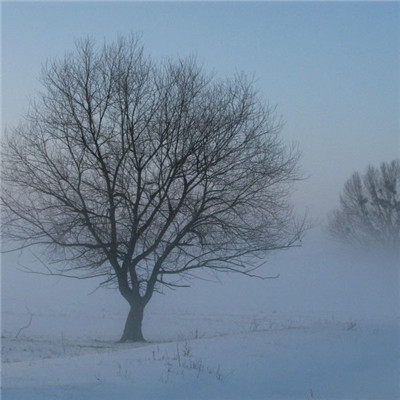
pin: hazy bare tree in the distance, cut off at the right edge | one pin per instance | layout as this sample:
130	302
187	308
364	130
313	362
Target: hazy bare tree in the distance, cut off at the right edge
369	211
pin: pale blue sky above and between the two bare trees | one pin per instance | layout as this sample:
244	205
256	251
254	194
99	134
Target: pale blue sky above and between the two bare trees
331	68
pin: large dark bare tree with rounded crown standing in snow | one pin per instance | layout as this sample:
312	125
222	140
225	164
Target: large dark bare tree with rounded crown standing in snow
142	173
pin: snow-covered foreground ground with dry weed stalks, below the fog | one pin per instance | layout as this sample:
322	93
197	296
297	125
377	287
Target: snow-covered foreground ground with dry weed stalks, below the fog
330	360
